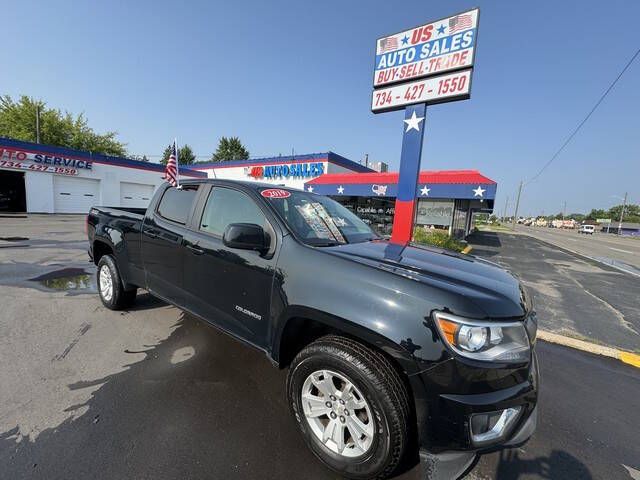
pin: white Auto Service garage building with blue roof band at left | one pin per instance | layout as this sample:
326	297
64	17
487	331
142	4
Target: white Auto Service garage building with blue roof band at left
46	179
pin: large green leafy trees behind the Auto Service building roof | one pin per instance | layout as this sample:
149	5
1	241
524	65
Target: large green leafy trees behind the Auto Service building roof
18	121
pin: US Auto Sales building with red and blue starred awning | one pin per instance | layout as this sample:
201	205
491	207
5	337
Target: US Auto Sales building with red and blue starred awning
447	199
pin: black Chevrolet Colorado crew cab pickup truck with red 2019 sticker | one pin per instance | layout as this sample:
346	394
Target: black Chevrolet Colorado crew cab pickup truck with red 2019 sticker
392	350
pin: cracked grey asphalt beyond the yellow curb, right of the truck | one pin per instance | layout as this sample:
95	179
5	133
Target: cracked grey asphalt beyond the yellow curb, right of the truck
574	295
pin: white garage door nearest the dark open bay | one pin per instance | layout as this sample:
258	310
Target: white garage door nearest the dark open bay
75	195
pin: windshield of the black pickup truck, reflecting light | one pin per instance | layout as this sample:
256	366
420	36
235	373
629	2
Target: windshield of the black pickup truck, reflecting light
320	221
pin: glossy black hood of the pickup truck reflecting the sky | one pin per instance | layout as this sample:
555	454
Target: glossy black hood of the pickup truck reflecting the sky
492	289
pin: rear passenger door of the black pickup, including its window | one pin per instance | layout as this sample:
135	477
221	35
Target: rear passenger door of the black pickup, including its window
162	248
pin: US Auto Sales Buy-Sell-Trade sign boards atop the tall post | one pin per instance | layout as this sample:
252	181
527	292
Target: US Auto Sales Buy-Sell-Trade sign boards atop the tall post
431	52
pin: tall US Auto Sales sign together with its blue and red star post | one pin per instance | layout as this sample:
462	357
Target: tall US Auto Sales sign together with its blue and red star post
425	65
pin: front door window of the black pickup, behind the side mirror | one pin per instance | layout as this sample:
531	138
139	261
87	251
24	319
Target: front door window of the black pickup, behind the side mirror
225	206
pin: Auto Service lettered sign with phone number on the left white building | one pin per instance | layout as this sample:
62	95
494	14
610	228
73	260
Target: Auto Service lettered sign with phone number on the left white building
39	162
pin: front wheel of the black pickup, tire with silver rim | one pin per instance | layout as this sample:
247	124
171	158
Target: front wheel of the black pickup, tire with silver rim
338	360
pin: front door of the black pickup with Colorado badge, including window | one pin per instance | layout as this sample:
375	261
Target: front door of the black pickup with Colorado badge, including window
229	287
